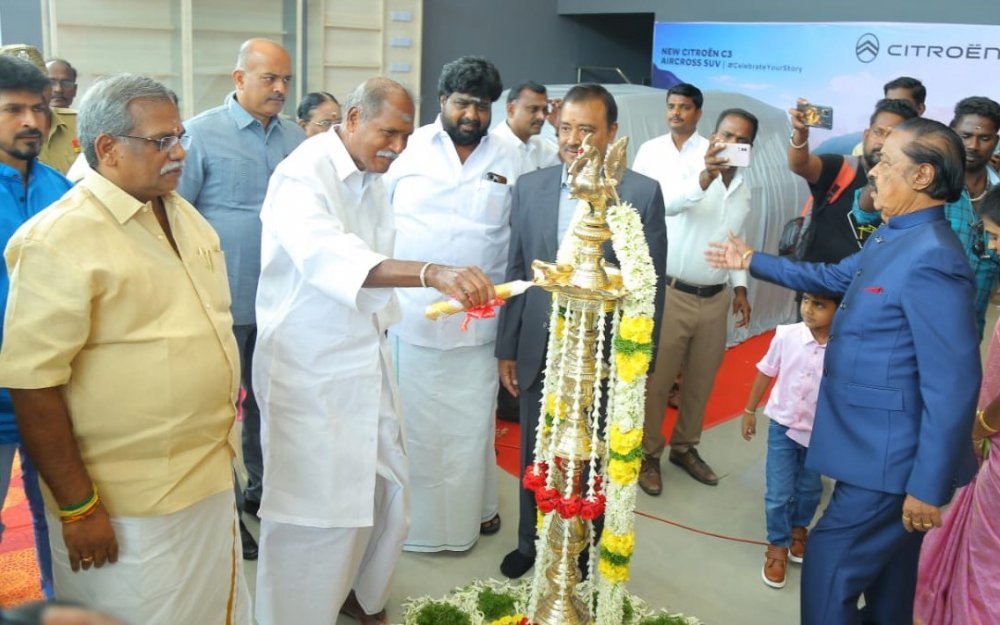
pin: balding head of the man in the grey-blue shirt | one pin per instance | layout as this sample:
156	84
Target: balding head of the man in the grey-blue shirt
262	76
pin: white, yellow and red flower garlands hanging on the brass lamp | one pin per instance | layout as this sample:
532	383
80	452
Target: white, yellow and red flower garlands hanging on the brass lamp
632	354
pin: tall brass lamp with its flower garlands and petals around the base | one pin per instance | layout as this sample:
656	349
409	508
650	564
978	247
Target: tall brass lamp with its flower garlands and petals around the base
581	385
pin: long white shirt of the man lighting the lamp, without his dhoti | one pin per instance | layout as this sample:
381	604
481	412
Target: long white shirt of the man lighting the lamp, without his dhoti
317	365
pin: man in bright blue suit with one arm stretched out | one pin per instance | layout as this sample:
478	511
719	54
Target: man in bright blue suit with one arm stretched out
900	382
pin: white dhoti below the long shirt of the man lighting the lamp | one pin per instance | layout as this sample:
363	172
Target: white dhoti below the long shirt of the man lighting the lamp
305	573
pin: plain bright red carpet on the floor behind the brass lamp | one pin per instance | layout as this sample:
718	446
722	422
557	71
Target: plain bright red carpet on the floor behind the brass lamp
732	385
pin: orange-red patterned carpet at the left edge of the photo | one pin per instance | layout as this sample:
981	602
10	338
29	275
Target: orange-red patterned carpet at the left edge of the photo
18	568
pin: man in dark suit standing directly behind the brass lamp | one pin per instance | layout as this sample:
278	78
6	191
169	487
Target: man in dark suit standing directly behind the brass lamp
541	212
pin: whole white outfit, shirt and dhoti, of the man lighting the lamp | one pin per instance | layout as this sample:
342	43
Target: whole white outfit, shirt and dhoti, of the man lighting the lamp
334	505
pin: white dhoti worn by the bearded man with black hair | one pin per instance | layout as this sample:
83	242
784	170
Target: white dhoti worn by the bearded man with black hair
449	407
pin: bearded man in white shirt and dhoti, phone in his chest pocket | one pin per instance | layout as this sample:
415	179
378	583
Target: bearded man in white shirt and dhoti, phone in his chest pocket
451	193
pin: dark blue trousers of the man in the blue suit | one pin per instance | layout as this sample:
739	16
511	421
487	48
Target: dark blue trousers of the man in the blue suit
859	547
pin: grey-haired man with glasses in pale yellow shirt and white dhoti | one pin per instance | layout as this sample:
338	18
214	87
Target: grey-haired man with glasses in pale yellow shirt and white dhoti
121	362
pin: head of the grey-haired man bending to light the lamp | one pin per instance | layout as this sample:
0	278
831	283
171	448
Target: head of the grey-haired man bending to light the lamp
377	124
